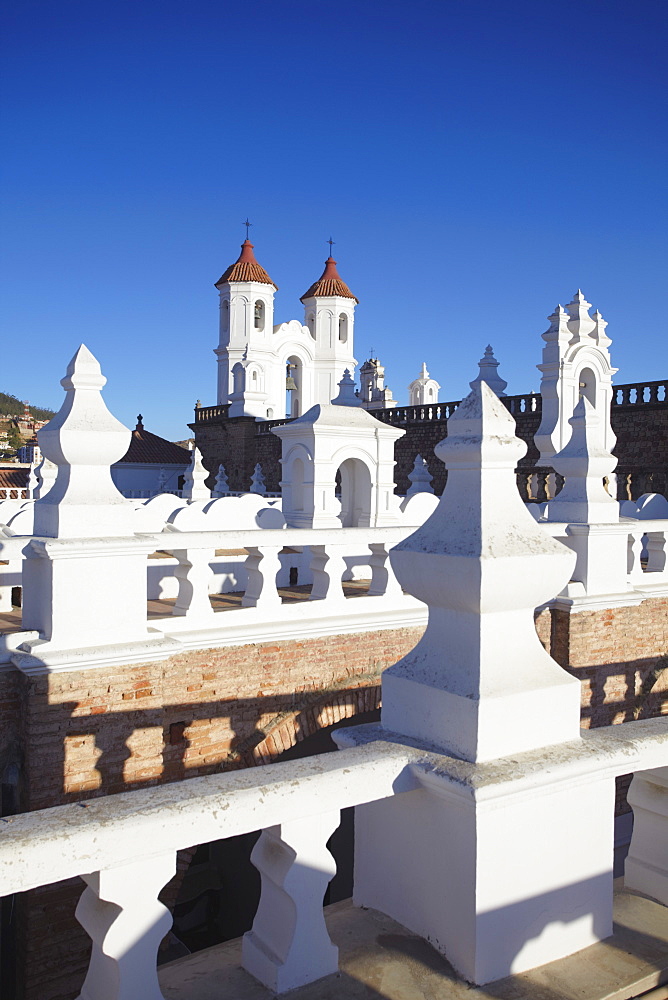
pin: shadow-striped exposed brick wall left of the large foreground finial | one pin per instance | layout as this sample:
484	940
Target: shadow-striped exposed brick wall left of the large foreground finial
88	733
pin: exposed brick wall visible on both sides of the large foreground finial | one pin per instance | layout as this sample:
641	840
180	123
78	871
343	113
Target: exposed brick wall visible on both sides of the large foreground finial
89	733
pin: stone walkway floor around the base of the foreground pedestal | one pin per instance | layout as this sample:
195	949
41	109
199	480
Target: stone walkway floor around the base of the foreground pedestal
380	960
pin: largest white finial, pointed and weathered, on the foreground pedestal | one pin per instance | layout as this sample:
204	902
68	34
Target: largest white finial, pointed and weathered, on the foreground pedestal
479	685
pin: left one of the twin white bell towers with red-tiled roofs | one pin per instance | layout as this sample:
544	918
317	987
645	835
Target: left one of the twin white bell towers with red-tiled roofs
245	350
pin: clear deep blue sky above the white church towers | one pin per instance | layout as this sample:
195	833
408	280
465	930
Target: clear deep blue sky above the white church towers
474	160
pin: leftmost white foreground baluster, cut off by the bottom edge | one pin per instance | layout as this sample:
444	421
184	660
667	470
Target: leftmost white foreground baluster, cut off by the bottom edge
121	912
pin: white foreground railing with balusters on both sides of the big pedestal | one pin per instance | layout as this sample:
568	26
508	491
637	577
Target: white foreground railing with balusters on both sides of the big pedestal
124	846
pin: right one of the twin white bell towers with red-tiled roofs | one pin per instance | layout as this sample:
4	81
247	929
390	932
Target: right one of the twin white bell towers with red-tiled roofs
329	309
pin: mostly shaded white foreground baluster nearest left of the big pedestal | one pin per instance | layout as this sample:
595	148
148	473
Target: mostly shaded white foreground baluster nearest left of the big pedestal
288	945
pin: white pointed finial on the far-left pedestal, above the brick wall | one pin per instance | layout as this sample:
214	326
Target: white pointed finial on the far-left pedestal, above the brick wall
83	440
